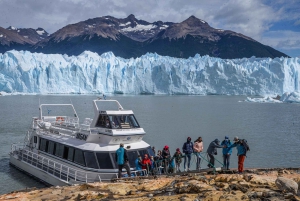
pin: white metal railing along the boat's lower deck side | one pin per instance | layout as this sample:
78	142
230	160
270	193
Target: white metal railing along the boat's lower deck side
58	170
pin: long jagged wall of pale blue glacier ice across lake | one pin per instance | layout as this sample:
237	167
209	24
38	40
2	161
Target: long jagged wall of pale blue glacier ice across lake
37	73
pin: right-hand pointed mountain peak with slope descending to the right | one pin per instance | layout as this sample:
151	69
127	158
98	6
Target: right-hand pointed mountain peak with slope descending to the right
194	36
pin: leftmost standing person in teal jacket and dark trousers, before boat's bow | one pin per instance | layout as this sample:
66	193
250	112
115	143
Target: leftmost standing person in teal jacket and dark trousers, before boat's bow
122	160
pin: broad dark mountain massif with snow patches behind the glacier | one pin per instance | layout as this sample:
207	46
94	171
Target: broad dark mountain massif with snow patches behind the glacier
130	37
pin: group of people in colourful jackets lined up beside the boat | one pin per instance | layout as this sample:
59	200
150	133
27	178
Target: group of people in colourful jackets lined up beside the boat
164	162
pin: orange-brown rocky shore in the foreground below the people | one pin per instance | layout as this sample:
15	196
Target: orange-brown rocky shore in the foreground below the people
254	184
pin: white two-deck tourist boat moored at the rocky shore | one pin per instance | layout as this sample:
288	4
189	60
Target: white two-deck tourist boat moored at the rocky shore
58	150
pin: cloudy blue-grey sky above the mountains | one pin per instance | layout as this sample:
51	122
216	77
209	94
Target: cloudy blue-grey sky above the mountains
271	22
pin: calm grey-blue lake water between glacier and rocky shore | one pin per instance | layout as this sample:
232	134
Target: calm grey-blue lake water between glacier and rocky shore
272	130
